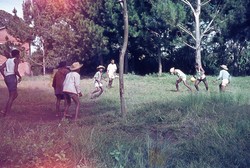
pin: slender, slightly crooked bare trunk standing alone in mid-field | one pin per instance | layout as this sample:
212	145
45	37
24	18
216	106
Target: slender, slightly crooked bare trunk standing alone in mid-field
121	61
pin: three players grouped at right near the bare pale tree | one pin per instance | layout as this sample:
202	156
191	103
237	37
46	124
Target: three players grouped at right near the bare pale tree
200	76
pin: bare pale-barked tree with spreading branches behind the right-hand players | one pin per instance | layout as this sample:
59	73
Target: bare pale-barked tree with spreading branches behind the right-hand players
197	28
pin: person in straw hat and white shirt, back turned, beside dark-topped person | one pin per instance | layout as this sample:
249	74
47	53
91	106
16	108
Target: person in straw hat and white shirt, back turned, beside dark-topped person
71	88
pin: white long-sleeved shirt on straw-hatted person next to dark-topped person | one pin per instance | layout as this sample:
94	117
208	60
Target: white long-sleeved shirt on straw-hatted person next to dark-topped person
71	83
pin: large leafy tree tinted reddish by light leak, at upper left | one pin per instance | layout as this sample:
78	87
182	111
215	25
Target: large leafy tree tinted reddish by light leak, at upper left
69	30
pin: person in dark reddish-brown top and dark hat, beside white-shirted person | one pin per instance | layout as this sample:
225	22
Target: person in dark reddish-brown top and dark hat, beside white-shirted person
57	84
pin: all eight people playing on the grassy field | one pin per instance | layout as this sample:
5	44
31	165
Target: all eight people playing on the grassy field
66	81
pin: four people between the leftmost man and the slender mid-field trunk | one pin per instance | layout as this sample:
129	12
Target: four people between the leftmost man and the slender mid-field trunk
66	84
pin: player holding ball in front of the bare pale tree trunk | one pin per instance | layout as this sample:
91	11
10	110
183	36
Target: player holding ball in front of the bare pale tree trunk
200	77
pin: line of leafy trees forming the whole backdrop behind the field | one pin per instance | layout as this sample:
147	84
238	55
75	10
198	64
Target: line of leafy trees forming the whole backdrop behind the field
160	33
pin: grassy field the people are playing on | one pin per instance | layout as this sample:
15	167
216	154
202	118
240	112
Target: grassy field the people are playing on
163	128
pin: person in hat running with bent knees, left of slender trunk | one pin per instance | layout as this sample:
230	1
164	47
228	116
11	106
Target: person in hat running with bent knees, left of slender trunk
98	82
